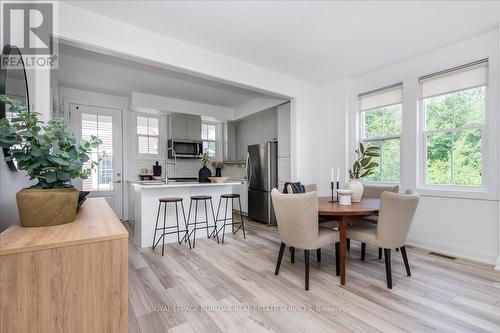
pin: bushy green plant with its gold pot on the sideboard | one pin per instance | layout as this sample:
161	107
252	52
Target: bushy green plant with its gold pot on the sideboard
50	156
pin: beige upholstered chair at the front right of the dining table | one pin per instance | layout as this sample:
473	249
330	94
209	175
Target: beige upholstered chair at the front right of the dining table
394	221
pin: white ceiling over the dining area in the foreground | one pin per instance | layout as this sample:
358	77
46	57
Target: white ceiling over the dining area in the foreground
315	41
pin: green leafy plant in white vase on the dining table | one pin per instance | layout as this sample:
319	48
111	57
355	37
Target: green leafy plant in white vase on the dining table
362	167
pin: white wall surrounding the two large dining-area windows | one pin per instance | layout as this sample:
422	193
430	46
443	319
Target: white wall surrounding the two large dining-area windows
465	225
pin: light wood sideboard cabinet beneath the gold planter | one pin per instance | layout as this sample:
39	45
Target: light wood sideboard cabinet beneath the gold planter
66	278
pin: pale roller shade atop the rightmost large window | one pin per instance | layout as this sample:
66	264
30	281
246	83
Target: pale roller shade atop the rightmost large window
463	77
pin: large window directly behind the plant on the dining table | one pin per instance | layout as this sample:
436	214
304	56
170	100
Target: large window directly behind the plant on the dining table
381	126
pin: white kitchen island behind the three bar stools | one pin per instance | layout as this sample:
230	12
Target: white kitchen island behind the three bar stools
145	202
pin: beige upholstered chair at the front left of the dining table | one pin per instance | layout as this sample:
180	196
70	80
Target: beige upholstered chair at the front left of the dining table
298	227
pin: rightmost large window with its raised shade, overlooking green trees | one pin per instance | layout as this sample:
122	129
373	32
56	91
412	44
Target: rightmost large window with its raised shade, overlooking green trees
454	111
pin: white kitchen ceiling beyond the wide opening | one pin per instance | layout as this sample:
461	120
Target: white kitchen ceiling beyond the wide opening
92	71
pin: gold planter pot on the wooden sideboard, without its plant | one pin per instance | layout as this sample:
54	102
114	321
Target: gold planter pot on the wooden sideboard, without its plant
46	207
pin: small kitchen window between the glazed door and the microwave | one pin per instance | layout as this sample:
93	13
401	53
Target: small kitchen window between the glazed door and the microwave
148	132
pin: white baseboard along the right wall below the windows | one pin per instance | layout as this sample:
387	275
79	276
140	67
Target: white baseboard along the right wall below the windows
456	250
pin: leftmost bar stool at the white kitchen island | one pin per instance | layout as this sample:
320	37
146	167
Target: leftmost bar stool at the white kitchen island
166	201
